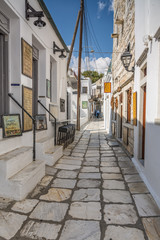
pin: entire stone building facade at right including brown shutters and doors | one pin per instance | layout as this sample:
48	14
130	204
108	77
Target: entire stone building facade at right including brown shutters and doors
123	81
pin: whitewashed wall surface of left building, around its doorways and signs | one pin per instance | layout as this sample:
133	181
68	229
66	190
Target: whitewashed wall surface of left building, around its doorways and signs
42	39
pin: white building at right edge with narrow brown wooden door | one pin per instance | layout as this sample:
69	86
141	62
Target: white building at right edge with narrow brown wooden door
147	86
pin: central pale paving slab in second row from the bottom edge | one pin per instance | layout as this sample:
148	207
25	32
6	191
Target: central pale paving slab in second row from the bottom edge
88	211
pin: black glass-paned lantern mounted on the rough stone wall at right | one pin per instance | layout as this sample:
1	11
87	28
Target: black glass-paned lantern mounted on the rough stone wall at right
126	59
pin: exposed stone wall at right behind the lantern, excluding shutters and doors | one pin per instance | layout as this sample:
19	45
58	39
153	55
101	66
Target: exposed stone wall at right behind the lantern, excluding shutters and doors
124	10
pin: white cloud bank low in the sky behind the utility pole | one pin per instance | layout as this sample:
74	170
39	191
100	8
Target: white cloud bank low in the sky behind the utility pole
100	65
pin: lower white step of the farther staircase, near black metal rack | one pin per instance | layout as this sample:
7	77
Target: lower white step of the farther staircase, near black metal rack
52	155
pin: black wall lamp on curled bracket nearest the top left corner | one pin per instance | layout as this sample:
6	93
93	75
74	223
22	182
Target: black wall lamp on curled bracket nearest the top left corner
31	12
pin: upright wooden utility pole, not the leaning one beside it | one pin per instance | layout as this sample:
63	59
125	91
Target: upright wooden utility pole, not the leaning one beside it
79	66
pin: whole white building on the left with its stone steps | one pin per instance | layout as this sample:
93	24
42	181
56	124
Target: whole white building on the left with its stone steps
30	70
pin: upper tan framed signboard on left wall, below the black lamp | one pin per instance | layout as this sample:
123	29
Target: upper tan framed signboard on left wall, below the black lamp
26	59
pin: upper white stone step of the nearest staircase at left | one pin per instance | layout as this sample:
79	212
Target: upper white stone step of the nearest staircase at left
14	161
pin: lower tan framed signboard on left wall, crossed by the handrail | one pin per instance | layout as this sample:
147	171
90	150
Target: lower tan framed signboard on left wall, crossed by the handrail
27	104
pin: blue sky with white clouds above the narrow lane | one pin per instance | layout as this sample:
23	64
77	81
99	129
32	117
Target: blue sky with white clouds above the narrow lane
97	34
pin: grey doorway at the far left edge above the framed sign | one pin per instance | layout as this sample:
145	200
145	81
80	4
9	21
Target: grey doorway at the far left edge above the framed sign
4	85
